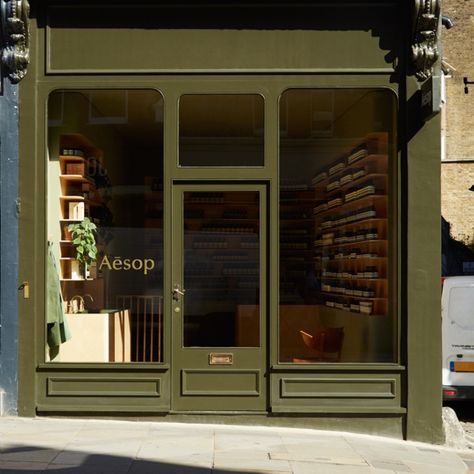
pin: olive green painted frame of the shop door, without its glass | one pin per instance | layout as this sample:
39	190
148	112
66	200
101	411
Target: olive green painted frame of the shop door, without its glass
218	378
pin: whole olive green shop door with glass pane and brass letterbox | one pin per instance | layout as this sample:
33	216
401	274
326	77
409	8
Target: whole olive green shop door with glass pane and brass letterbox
219	298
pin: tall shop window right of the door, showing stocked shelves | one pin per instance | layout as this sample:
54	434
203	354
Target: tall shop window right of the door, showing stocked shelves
337	230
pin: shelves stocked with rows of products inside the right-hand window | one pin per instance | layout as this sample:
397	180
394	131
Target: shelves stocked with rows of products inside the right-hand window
351	228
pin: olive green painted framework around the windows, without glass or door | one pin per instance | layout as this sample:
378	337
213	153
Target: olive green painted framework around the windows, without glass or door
336	45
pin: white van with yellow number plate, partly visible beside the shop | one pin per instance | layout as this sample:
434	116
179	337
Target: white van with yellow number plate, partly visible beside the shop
457	310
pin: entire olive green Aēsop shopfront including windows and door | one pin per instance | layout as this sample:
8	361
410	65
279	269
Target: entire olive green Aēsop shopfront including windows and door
264	199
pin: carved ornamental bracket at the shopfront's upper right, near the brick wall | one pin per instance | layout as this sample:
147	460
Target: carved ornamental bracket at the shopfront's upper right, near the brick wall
424	50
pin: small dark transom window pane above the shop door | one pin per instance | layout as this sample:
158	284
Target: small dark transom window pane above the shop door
221	130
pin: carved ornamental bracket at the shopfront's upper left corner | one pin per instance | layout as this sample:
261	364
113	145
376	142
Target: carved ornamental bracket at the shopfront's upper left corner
15	35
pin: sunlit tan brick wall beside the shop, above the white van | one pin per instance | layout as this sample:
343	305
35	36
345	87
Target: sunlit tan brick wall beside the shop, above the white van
457	202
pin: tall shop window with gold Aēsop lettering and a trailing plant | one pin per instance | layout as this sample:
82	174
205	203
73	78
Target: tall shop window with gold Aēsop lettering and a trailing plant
105	226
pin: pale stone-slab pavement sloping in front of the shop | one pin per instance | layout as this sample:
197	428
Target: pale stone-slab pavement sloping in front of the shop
134	447
